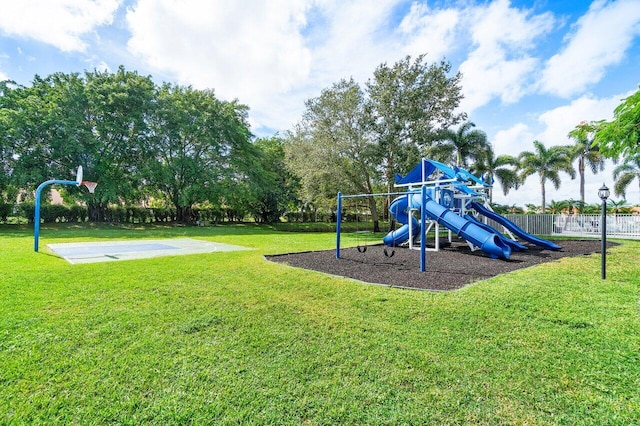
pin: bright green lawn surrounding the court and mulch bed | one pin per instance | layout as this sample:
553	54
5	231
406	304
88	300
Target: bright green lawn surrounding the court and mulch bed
229	338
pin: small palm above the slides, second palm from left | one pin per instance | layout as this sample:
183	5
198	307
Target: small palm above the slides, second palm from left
492	168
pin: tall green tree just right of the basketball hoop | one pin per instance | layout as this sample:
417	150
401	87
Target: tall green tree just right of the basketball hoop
119	107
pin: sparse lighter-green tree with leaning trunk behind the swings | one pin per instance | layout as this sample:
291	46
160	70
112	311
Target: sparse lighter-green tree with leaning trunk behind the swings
330	151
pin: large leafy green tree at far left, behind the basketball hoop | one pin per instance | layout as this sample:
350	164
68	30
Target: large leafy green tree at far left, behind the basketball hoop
44	129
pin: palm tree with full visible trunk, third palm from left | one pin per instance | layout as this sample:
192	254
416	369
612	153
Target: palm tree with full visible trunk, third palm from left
547	163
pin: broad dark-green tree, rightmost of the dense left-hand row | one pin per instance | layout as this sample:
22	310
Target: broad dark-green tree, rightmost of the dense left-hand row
201	149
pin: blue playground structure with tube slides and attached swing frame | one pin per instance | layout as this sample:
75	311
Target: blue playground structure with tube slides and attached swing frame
450	200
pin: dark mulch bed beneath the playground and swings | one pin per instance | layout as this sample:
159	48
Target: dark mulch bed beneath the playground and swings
453	267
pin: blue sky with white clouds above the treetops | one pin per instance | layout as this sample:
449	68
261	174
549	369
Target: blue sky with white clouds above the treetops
532	70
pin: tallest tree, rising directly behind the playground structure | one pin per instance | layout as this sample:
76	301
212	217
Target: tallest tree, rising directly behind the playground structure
408	103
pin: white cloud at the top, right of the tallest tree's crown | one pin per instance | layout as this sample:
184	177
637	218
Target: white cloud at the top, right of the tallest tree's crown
501	65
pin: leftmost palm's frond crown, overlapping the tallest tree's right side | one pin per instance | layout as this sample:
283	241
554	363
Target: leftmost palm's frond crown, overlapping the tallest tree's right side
456	147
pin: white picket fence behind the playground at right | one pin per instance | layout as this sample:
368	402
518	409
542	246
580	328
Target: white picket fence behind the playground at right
586	225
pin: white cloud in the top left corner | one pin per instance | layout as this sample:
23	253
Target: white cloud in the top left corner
60	23
